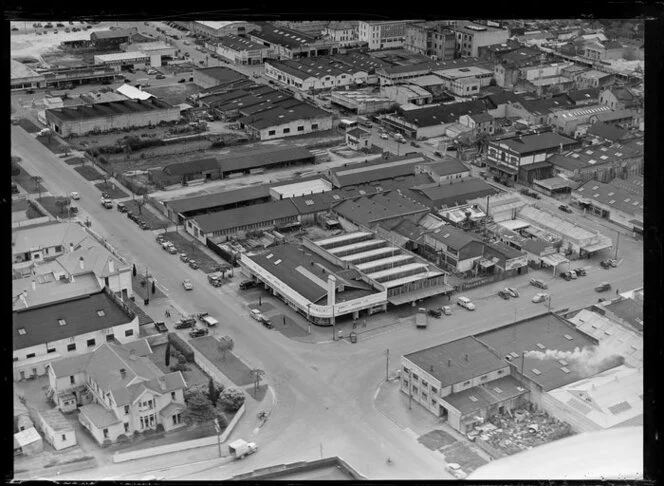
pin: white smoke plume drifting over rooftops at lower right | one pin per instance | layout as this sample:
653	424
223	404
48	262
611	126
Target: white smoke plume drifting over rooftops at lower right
587	361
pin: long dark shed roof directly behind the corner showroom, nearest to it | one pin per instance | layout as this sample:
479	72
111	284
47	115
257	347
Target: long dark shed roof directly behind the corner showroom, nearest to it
244	216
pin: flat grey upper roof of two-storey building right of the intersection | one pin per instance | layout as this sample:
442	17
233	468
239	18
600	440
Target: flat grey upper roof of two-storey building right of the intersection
456	361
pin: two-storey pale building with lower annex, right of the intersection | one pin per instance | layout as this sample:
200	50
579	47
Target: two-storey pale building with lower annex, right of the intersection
461	382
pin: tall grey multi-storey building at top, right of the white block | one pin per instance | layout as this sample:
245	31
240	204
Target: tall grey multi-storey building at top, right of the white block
433	39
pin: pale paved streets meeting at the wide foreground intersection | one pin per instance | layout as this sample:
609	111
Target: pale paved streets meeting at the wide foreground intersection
325	392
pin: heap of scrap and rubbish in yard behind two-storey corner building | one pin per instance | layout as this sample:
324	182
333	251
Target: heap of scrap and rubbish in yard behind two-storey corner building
521	430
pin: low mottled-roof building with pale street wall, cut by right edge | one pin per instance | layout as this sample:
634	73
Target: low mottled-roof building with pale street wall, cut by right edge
612	202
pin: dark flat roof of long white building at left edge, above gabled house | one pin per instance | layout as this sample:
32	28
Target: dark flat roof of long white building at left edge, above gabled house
80	315
